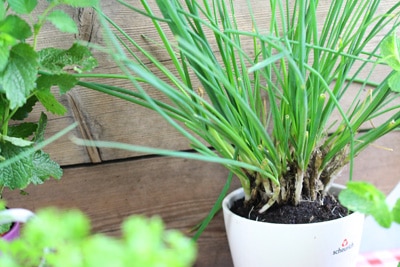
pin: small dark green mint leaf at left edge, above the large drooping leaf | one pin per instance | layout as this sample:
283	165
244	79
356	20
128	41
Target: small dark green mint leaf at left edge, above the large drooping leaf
16	27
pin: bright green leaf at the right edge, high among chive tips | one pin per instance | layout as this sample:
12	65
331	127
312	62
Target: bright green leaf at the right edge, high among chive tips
390	51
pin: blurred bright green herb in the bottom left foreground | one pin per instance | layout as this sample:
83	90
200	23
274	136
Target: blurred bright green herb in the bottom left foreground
62	238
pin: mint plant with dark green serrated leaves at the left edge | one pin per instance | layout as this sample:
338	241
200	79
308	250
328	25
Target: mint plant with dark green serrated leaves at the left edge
26	77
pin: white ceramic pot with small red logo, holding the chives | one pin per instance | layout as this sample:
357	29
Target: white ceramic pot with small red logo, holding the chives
333	243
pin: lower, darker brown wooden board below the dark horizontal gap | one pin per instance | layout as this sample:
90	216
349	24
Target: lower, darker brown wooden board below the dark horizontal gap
180	191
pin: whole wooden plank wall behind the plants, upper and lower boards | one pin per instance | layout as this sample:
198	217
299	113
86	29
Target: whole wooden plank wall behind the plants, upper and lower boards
110	185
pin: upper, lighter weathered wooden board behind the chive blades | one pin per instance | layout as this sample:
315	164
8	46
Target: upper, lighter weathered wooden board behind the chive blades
106	118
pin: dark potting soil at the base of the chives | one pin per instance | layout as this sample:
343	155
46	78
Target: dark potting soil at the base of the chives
305	212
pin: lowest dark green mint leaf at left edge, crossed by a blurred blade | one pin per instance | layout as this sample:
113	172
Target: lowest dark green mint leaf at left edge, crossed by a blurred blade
17	174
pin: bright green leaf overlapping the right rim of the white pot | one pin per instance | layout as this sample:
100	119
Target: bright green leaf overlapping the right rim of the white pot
366	198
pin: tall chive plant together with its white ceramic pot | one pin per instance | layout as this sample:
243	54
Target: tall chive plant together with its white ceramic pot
268	111
